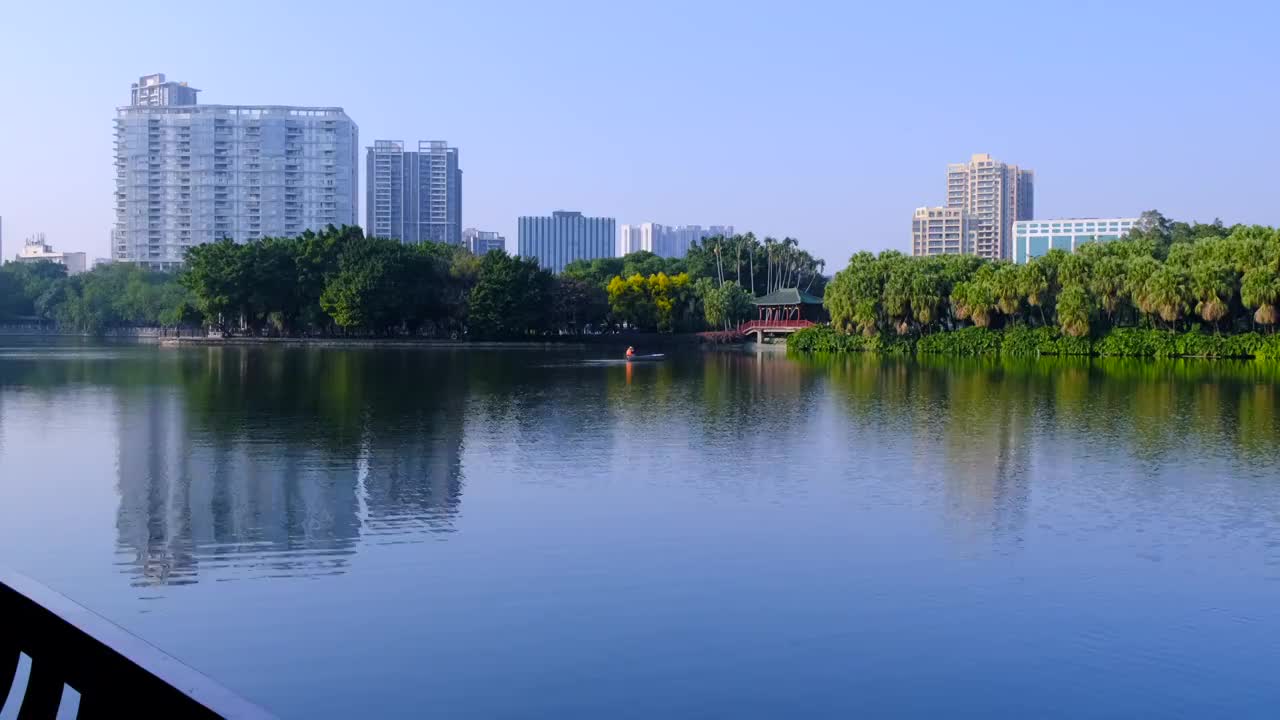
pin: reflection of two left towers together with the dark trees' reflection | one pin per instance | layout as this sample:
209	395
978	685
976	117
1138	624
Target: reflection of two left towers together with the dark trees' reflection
259	463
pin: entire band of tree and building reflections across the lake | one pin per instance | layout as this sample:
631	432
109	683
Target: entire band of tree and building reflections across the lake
246	463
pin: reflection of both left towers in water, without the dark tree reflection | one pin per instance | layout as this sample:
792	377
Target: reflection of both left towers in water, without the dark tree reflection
263	498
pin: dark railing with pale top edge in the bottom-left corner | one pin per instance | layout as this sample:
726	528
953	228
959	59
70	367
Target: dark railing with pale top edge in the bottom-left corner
116	673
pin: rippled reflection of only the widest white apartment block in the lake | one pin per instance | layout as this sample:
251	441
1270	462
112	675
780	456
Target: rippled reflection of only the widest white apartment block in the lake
193	503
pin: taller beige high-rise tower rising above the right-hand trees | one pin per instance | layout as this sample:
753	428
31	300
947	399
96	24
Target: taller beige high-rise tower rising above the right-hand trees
994	195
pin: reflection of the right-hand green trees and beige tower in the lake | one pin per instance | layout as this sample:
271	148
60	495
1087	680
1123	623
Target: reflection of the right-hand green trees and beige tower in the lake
988	425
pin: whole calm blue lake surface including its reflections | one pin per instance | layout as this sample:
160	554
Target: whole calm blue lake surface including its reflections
529	534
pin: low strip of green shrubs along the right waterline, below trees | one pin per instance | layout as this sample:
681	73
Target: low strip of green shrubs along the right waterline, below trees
1032	343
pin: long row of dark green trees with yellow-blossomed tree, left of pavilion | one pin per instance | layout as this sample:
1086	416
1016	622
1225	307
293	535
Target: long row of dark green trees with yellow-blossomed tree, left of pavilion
339	281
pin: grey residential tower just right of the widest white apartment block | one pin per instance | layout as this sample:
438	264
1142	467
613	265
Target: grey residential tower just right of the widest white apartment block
414	197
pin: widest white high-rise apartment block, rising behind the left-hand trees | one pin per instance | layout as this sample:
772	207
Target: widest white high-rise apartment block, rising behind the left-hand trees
188	174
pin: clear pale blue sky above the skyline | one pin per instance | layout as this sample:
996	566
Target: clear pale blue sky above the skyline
828	122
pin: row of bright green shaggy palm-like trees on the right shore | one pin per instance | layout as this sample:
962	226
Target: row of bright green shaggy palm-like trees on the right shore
1163	276
